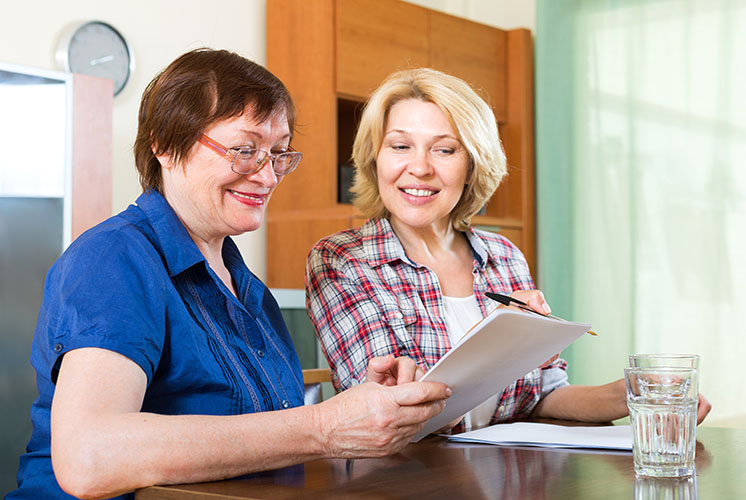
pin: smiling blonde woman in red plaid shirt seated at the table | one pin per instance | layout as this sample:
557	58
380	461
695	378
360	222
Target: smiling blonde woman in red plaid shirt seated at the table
412	280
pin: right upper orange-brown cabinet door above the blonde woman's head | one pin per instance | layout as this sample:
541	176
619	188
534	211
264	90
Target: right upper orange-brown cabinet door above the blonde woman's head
473	52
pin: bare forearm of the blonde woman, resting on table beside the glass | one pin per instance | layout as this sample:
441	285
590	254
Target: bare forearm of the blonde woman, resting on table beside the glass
602	403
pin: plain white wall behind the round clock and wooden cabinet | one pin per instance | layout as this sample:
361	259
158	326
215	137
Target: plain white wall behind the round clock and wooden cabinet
160	30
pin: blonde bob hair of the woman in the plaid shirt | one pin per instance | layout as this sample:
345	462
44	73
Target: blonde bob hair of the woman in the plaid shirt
471	118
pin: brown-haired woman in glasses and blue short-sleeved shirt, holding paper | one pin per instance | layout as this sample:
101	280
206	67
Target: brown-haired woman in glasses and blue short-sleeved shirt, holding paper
160	357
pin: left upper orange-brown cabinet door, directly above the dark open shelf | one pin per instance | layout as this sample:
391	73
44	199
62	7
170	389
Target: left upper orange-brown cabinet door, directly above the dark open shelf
375	38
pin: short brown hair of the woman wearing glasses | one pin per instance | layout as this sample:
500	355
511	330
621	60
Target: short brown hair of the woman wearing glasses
199	88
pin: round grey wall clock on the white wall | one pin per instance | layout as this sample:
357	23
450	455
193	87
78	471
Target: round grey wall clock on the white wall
97	49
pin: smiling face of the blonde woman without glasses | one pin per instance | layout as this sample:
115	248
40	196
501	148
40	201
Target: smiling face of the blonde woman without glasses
422	166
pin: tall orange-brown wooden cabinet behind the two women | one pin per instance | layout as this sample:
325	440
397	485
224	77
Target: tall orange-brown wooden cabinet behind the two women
332	54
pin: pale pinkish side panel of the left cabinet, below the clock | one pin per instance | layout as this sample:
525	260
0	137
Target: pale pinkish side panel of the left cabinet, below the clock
92	155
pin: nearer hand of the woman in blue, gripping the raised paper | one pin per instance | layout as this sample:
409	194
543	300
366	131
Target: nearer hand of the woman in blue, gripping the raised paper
373	420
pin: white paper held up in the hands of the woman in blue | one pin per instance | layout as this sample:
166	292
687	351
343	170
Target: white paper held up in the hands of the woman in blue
500	349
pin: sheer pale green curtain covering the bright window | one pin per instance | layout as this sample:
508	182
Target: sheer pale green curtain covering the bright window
641	187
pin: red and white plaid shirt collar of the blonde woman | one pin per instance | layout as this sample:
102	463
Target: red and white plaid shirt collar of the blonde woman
381	245
